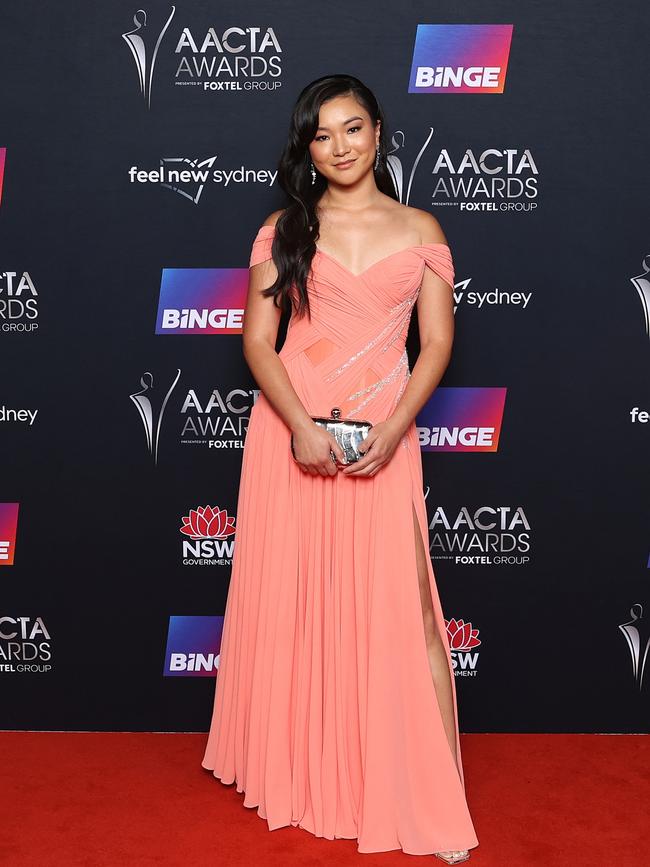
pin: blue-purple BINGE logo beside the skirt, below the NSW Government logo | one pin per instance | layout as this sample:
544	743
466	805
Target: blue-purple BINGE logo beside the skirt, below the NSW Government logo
193	645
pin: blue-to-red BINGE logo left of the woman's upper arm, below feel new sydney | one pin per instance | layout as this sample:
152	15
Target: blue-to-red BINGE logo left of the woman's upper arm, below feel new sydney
202	301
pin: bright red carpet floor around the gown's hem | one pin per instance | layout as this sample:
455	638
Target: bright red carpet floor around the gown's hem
143	799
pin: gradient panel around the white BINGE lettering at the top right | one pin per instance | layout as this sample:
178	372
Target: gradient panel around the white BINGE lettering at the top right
456	46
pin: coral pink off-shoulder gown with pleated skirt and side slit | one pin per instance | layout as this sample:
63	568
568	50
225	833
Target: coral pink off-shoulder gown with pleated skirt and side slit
325	712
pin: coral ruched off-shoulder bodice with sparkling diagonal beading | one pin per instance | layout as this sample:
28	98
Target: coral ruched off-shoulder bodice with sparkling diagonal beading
362	320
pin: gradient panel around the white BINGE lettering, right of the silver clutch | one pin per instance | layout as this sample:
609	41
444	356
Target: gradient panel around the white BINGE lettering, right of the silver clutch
462	409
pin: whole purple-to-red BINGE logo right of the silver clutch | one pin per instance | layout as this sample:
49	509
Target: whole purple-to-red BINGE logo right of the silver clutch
462	420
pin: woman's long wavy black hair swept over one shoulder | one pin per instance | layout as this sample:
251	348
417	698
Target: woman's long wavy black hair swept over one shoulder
297	228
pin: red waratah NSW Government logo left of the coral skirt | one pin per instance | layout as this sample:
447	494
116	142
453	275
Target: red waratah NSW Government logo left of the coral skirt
208	531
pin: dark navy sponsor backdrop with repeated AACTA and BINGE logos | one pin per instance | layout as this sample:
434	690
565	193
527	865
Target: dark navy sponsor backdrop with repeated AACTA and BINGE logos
138	158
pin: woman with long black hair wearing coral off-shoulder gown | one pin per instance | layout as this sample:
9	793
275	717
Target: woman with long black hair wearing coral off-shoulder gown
335	702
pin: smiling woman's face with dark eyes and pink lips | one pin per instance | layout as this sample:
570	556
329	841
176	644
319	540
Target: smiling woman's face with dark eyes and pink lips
345	143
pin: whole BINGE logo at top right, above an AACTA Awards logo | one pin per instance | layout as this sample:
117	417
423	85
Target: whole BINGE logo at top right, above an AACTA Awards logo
460	58
